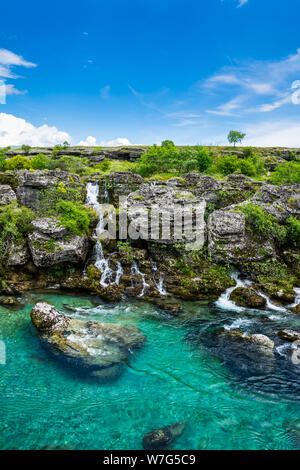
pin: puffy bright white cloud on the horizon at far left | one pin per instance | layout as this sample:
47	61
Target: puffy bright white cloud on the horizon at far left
17	131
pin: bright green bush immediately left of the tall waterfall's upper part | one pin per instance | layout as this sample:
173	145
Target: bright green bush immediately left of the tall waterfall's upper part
76	217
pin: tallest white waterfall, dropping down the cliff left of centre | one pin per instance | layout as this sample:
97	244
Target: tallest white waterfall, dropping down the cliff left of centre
102	263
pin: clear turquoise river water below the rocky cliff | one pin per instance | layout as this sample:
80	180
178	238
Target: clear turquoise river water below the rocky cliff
180	374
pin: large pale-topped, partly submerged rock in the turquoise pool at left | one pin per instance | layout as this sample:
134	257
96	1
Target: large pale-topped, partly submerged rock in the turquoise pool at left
98	349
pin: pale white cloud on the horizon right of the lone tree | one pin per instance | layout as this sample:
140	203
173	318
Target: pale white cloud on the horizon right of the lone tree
273	134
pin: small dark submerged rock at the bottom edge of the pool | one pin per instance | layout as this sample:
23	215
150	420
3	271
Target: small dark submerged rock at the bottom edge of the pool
163	437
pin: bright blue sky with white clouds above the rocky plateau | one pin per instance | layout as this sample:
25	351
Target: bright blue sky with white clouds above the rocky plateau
146	70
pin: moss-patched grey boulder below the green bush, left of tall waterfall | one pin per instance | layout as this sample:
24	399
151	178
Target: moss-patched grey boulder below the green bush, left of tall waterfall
46	251
